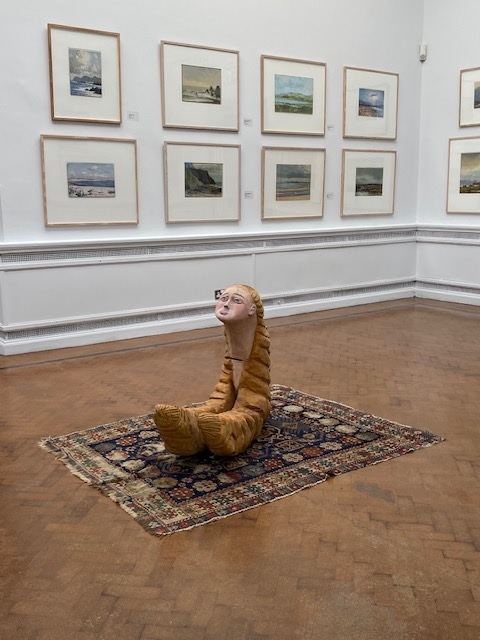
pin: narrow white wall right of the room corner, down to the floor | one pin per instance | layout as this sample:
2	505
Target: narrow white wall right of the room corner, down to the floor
448	256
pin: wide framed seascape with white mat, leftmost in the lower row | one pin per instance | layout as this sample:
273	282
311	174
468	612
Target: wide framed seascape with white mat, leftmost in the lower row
89	181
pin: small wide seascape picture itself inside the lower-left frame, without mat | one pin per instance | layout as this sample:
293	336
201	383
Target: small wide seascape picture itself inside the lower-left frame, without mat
91	179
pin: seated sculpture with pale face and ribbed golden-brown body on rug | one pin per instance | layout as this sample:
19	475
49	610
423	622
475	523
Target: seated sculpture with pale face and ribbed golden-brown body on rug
228	422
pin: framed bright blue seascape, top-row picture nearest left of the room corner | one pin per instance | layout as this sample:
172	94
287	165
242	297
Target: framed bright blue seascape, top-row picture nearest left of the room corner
370	104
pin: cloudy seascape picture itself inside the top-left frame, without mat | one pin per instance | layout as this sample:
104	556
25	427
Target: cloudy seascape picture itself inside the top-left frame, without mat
85	68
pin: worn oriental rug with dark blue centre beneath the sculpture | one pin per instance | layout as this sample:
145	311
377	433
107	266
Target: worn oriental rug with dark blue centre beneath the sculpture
305	440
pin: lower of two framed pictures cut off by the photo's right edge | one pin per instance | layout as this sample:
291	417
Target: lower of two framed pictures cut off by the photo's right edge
463	194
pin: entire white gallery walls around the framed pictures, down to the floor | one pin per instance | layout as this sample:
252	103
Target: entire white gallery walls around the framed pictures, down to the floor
63	286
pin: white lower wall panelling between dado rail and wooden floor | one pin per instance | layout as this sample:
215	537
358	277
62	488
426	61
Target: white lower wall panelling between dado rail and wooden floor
68	295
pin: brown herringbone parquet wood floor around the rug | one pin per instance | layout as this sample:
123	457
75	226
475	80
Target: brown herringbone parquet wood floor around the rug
387	552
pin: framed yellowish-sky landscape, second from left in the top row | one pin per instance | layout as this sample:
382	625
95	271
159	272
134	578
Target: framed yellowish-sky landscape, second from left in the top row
199	87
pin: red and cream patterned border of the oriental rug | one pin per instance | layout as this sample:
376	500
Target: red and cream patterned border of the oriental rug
68	449
